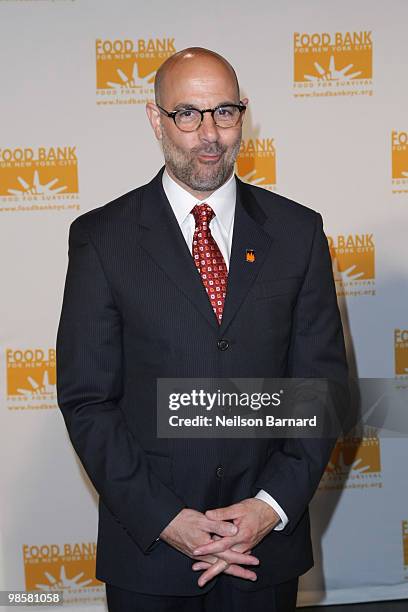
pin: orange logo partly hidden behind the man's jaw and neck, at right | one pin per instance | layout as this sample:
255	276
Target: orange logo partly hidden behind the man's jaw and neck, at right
256	162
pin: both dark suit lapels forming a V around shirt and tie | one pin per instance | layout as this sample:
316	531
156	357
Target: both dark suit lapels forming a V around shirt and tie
162	238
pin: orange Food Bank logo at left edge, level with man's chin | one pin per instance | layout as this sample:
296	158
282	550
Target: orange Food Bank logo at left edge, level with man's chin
42	173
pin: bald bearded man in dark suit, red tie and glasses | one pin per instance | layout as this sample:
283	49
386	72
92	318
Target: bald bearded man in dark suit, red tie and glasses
159	286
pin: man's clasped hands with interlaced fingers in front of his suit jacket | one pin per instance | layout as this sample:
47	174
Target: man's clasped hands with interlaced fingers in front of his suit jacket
218	545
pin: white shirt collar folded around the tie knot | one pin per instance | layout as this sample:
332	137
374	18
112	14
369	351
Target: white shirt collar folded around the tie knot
222	201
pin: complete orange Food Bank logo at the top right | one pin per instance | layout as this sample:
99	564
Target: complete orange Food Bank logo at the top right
338	63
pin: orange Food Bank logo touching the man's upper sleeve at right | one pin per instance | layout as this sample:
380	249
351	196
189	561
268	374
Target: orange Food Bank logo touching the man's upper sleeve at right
353	258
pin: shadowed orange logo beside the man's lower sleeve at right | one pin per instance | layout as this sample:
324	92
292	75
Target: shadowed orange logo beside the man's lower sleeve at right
354	463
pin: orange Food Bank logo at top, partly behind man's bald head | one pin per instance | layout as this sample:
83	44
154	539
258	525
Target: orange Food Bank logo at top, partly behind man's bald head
126	68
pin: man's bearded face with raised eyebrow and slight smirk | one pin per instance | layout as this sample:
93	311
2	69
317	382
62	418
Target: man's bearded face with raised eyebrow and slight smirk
204	159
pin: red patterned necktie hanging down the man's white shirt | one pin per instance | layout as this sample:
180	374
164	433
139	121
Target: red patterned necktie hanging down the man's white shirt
208	259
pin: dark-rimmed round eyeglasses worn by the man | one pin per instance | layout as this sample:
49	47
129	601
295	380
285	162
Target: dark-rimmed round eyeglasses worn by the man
190	119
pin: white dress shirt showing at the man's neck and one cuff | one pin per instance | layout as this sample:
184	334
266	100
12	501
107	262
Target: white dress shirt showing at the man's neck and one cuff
222	201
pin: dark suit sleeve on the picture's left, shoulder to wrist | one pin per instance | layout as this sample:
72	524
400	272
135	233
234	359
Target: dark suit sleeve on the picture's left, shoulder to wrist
89	389
